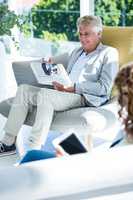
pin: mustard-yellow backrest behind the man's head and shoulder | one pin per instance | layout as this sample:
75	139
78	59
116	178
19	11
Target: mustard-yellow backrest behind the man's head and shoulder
122	39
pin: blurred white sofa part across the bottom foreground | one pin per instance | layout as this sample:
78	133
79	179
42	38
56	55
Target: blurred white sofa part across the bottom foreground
83	176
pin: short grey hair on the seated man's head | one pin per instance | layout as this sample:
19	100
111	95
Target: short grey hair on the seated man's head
95	21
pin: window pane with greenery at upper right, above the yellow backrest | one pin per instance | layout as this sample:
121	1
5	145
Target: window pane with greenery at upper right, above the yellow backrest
115	12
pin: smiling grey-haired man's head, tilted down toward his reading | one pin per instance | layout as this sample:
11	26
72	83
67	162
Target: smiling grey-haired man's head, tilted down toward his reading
90	31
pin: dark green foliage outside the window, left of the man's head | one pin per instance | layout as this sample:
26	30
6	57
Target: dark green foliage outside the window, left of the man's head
56	17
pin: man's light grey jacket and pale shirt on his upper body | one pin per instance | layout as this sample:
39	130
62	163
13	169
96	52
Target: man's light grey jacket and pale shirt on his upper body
93	74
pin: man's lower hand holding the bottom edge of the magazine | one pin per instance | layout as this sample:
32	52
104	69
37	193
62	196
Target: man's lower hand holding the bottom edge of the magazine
60	87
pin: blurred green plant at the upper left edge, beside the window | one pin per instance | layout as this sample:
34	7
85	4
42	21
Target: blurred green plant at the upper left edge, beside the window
7	19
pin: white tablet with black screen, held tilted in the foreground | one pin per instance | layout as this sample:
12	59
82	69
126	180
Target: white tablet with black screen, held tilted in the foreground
69	143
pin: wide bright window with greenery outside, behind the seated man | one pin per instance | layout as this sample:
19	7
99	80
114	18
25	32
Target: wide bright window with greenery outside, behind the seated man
54	21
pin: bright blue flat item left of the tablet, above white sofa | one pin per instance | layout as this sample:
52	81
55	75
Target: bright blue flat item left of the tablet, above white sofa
34	155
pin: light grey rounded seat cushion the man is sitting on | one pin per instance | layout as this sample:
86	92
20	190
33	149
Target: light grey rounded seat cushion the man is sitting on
83	121
